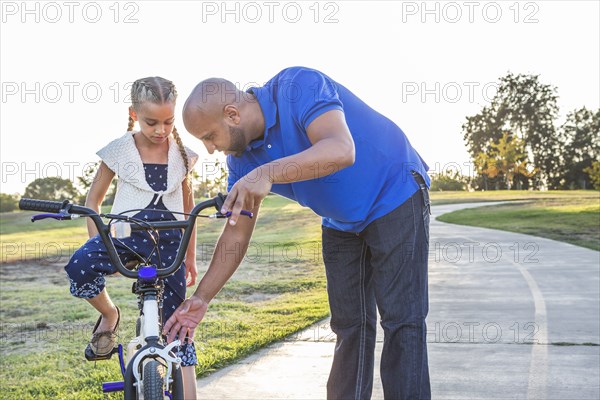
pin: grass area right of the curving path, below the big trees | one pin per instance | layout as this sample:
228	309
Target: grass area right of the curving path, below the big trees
572	217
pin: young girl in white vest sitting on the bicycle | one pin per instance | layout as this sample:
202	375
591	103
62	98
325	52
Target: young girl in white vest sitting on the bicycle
152	167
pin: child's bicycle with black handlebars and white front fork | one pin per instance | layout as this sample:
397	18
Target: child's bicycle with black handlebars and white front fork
148	287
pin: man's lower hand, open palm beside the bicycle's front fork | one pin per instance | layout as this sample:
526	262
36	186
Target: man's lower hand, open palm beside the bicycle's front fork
185	319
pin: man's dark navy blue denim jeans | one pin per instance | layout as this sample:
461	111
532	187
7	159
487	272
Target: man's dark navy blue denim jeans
382	268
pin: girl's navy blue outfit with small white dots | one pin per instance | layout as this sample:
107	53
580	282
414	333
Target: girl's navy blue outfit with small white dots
90	263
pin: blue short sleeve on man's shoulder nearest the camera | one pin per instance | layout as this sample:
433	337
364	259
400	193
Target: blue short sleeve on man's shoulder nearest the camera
313	94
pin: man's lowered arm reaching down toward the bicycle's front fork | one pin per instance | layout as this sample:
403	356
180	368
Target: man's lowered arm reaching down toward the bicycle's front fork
229	252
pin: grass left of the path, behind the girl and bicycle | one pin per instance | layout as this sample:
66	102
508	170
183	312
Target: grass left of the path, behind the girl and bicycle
278	290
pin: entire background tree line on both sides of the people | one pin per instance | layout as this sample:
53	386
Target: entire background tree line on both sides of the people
514	143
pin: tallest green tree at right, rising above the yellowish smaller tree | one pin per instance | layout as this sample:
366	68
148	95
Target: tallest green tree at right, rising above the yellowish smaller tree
527	108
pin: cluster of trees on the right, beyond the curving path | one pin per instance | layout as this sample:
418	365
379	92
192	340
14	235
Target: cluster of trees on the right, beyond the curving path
515	142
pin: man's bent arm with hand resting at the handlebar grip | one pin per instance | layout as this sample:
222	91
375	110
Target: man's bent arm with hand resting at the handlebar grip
332	149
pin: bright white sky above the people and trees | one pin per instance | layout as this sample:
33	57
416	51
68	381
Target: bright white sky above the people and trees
65	66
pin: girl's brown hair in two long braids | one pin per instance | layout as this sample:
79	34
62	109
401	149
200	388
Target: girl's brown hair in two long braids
156	90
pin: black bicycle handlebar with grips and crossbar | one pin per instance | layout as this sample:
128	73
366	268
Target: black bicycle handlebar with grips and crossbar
103	229
